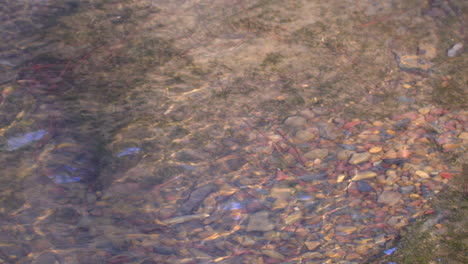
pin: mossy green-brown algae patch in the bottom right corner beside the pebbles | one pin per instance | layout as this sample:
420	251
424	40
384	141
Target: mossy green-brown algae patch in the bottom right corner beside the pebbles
439	237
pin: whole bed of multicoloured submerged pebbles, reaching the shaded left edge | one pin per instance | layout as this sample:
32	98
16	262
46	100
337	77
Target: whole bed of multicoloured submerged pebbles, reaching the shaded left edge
313	187
